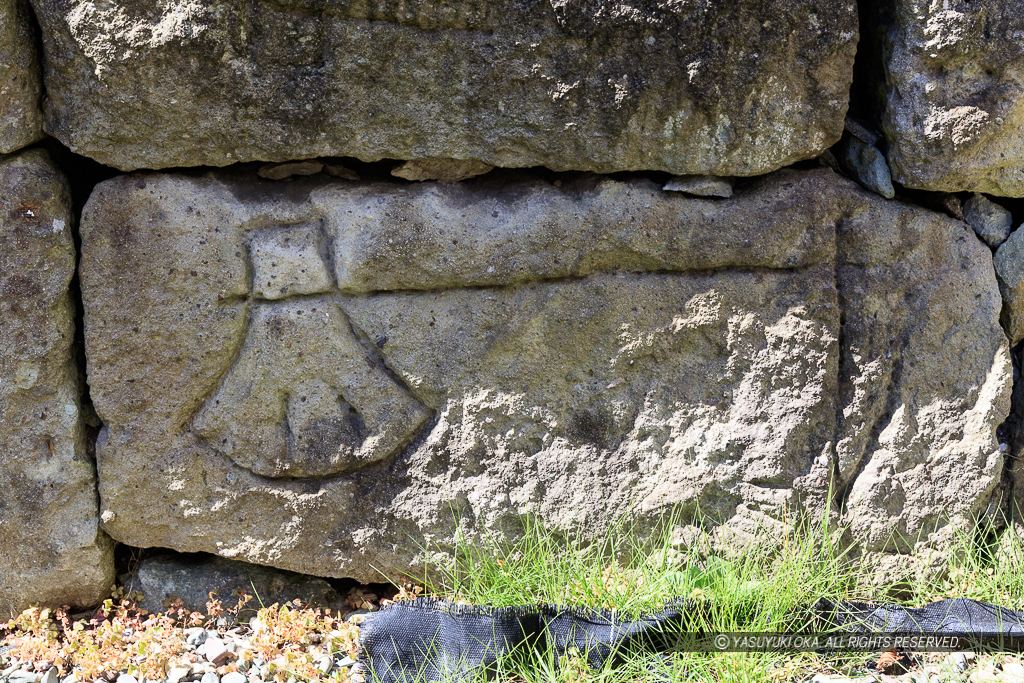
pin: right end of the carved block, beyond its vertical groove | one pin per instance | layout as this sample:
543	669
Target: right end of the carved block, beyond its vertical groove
925	377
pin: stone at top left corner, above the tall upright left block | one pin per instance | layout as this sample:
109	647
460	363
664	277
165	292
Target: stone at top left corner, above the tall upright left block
21	83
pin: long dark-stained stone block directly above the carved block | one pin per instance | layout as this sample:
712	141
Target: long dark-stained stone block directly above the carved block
729	88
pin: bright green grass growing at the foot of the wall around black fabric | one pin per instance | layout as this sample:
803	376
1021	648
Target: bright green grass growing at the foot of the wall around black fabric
762	584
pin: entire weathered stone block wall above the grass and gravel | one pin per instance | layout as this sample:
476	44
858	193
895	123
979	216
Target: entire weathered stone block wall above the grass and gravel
364	275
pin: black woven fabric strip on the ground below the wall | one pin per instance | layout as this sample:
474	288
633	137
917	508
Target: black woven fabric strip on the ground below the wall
434	641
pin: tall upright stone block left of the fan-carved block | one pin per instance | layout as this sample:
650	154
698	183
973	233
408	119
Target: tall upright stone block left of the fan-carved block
52	549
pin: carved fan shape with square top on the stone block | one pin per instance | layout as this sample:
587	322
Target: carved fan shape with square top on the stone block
305	399
